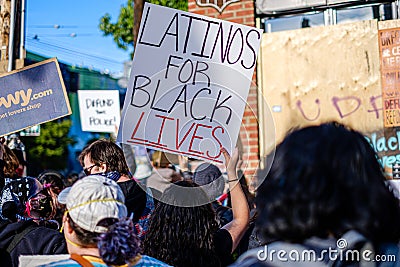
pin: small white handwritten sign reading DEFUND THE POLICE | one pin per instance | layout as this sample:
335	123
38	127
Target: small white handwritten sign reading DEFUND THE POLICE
99	110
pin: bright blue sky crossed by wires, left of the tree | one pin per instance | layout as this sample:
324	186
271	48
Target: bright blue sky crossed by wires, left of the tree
79	18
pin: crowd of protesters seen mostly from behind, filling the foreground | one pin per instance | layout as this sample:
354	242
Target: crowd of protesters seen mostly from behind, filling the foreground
322	200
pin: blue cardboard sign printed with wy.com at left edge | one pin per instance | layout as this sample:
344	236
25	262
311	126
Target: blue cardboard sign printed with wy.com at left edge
31	96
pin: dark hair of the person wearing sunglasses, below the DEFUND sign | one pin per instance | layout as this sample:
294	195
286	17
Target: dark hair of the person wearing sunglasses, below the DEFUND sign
106	151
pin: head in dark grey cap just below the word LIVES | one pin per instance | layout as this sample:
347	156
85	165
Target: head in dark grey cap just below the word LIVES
210	178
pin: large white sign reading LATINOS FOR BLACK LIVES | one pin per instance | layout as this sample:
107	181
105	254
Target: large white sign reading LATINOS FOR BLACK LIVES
189	83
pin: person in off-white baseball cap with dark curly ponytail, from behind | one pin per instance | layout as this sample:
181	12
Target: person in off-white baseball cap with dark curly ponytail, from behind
96	228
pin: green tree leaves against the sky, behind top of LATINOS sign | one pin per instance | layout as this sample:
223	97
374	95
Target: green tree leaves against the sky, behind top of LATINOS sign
122	30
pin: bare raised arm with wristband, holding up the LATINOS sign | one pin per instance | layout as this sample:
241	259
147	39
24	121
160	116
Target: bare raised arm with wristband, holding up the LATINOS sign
240	208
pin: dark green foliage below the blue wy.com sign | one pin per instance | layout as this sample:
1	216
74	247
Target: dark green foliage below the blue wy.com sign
49	150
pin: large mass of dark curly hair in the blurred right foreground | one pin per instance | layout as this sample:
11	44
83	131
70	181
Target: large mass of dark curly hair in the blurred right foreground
326	180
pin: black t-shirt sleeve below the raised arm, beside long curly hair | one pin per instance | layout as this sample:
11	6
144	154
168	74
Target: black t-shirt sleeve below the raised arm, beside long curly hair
223	246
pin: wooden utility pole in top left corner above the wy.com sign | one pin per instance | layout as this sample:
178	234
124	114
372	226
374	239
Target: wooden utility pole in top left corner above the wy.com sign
12	31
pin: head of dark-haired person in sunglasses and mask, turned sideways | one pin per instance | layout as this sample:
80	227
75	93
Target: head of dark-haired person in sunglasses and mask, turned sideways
103	156
